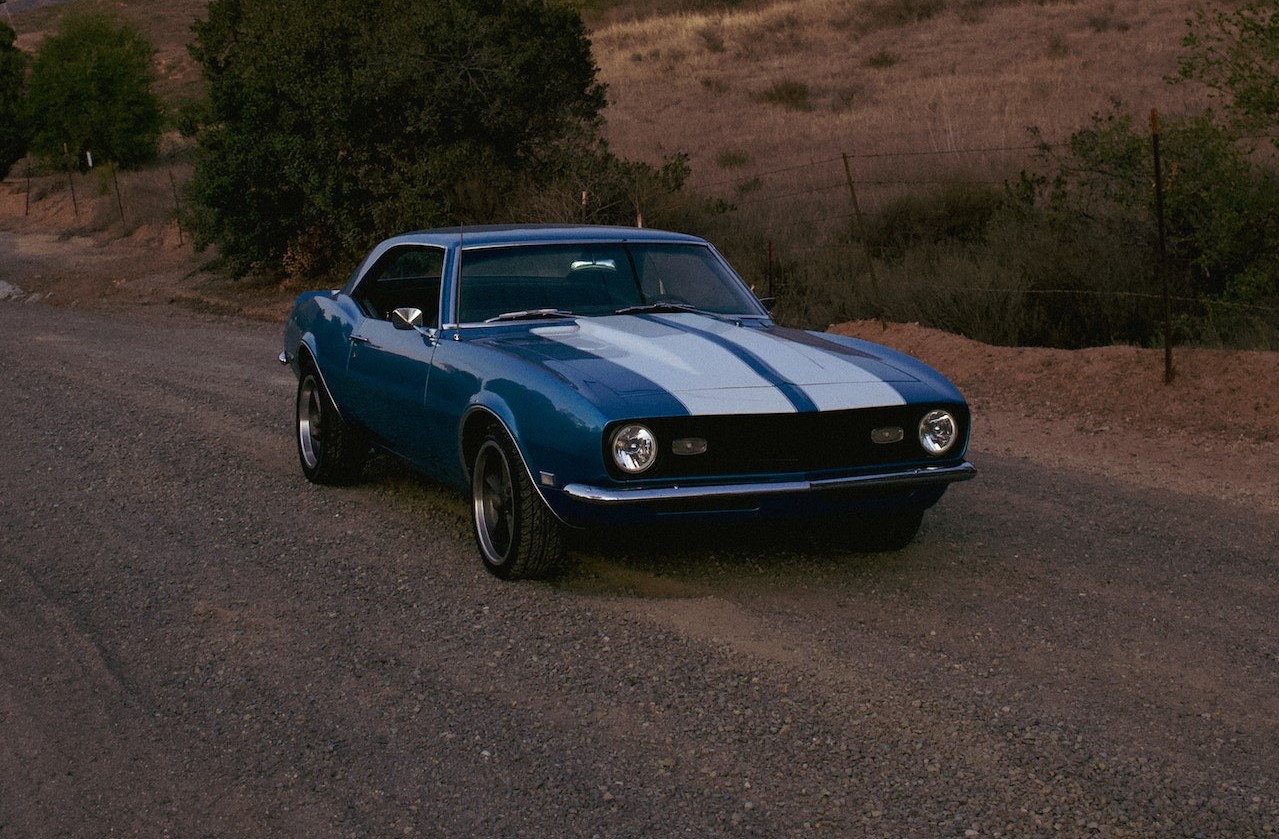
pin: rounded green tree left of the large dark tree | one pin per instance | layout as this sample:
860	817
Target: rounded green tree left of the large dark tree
90	91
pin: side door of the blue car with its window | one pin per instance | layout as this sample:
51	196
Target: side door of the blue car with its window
389	368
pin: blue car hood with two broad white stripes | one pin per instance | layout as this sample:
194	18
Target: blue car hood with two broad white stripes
712	366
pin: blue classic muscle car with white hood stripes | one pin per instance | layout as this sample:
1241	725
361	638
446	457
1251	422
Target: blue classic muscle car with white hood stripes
584	375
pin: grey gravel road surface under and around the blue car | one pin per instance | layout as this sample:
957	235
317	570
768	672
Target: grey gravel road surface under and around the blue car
196	643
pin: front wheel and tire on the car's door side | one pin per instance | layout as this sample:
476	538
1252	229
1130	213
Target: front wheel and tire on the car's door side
517	534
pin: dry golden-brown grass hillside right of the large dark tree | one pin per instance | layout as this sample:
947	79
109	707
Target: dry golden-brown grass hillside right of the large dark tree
716	85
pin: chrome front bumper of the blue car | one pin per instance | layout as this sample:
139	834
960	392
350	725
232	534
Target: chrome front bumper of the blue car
927	476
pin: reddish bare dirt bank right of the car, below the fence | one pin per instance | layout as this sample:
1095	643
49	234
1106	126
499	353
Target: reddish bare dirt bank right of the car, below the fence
1108	411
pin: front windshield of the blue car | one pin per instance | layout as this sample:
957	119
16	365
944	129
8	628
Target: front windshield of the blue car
558	281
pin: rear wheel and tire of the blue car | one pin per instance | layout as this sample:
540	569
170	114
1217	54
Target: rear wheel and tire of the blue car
329	450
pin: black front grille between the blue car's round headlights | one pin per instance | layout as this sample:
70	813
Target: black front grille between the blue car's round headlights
799	443
